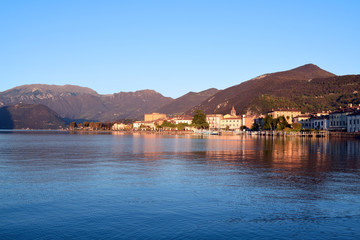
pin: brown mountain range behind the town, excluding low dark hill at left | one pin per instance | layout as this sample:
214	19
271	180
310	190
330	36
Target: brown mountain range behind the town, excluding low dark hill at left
308	88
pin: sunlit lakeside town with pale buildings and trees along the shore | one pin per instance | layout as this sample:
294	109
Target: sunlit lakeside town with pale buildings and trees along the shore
283	121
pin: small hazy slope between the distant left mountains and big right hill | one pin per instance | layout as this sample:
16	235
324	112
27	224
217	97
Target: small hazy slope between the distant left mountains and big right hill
183	103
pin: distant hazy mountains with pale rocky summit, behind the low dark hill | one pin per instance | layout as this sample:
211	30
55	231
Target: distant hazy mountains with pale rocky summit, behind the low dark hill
74	102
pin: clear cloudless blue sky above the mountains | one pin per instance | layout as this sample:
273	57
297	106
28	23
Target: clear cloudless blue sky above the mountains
174	46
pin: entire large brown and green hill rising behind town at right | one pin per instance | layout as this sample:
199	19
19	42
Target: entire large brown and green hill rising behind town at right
308	88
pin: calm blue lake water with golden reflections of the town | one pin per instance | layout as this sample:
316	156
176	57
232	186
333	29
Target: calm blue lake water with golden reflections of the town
58	185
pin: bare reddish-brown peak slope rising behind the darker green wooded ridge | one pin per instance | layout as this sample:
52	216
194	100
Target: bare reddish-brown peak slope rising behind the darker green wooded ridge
242	95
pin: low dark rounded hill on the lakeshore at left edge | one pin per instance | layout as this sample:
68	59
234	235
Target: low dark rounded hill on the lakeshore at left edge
33	116
